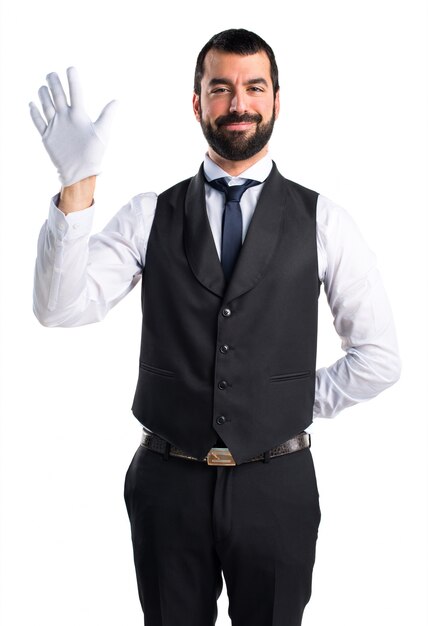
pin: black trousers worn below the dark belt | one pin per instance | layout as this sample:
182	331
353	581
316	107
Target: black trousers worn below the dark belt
256	522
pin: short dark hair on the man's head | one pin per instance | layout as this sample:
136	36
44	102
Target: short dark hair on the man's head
238	41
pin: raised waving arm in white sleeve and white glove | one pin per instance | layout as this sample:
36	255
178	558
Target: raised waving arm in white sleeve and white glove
78	278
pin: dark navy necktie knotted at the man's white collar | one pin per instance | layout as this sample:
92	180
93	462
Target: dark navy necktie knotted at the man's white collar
231	239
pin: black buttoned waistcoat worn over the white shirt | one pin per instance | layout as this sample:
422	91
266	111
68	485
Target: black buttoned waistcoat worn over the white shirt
234	360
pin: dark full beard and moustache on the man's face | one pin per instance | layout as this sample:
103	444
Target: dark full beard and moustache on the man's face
238	145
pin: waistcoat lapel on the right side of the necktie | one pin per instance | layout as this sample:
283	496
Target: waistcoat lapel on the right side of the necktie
265	228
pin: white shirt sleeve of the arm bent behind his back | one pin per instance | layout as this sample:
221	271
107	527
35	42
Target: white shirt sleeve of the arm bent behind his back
361	315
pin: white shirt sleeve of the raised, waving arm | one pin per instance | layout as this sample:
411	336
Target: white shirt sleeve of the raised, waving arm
78	277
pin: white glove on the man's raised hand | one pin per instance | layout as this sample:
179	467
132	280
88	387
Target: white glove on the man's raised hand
75	144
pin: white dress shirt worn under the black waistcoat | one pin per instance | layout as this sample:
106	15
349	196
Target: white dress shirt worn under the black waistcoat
79	278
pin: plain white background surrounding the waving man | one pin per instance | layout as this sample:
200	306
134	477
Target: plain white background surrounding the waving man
353	127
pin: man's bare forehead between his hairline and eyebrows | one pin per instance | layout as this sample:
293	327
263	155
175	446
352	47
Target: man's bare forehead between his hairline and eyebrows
236	67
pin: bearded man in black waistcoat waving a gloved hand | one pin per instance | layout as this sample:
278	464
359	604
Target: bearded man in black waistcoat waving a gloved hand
223	480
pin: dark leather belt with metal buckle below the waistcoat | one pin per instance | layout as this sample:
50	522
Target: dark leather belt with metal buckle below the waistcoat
223	456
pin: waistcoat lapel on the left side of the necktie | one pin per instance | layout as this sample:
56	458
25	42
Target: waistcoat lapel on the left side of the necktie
198	239
